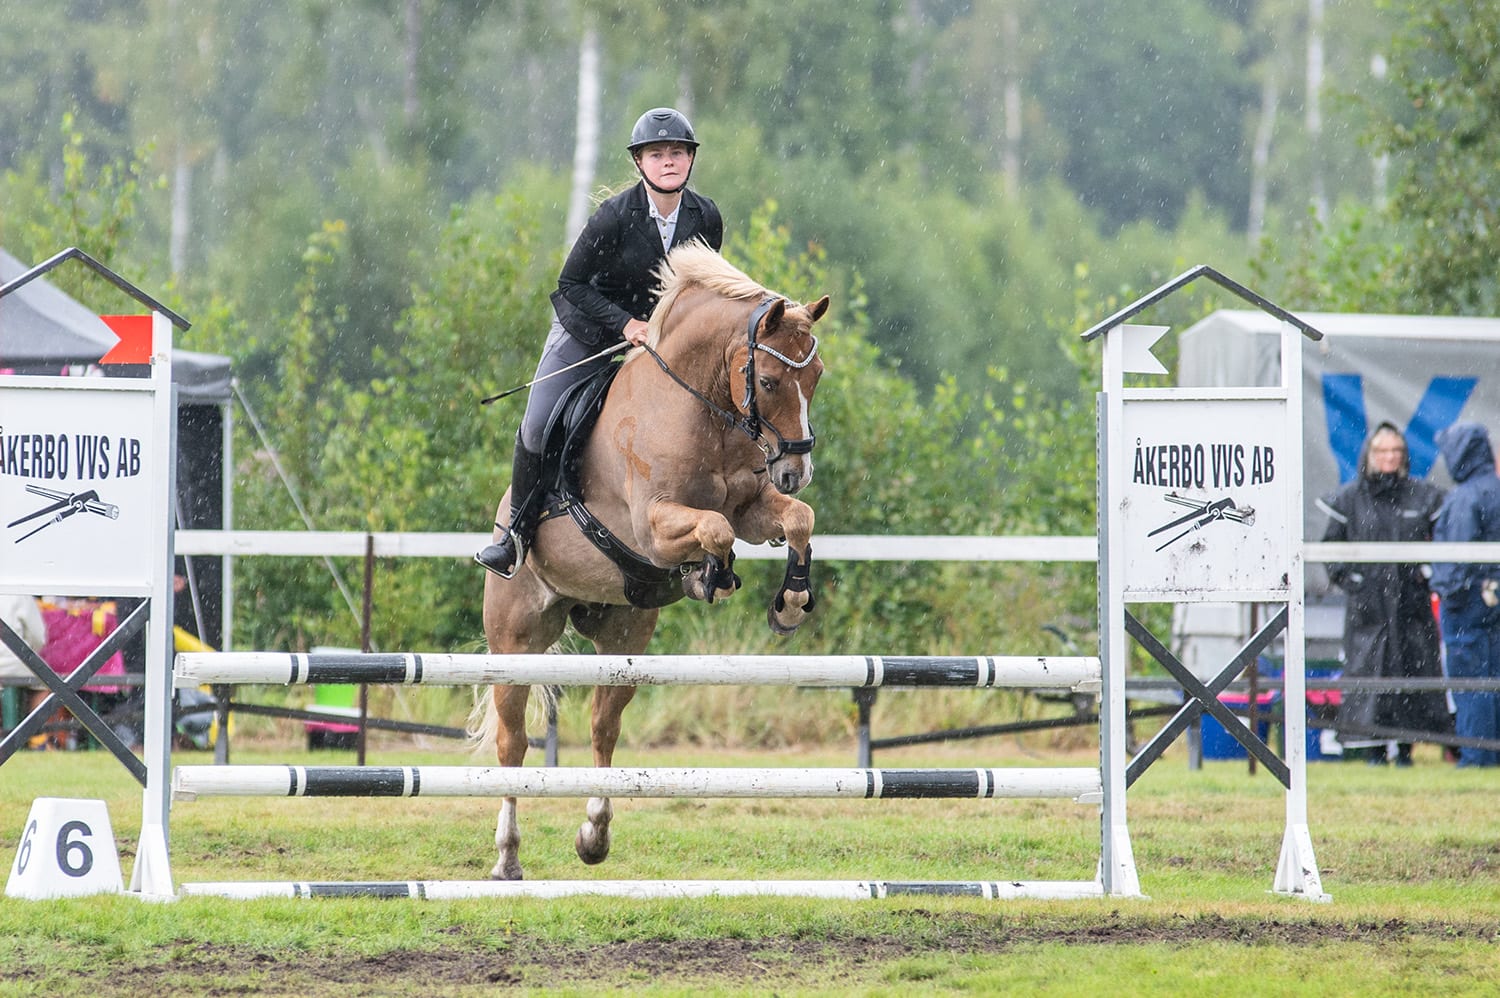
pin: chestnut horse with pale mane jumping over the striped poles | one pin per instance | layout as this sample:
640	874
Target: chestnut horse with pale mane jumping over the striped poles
703	437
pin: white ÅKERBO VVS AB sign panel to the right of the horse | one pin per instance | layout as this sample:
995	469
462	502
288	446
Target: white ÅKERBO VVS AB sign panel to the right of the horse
1204	502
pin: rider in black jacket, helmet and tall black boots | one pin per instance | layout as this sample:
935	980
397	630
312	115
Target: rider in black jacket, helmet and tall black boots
605	296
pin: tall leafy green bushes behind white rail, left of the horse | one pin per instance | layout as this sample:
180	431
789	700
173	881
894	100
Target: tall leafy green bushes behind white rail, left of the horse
410	451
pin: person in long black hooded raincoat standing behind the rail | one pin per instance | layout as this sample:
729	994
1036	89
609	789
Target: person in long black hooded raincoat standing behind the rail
1388	619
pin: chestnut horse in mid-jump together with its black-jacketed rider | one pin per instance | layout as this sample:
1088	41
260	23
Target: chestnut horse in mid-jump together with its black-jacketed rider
703	437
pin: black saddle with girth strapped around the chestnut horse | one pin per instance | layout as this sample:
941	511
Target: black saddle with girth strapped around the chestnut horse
647	586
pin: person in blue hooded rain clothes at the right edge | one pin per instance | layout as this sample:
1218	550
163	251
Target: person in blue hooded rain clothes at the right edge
1469	591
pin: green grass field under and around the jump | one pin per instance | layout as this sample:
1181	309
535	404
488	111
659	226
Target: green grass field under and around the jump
1411	858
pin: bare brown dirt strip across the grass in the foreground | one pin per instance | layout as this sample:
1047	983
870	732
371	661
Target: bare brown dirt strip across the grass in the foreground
475	967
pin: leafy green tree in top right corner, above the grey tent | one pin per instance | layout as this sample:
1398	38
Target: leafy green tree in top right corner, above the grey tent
1426	248
